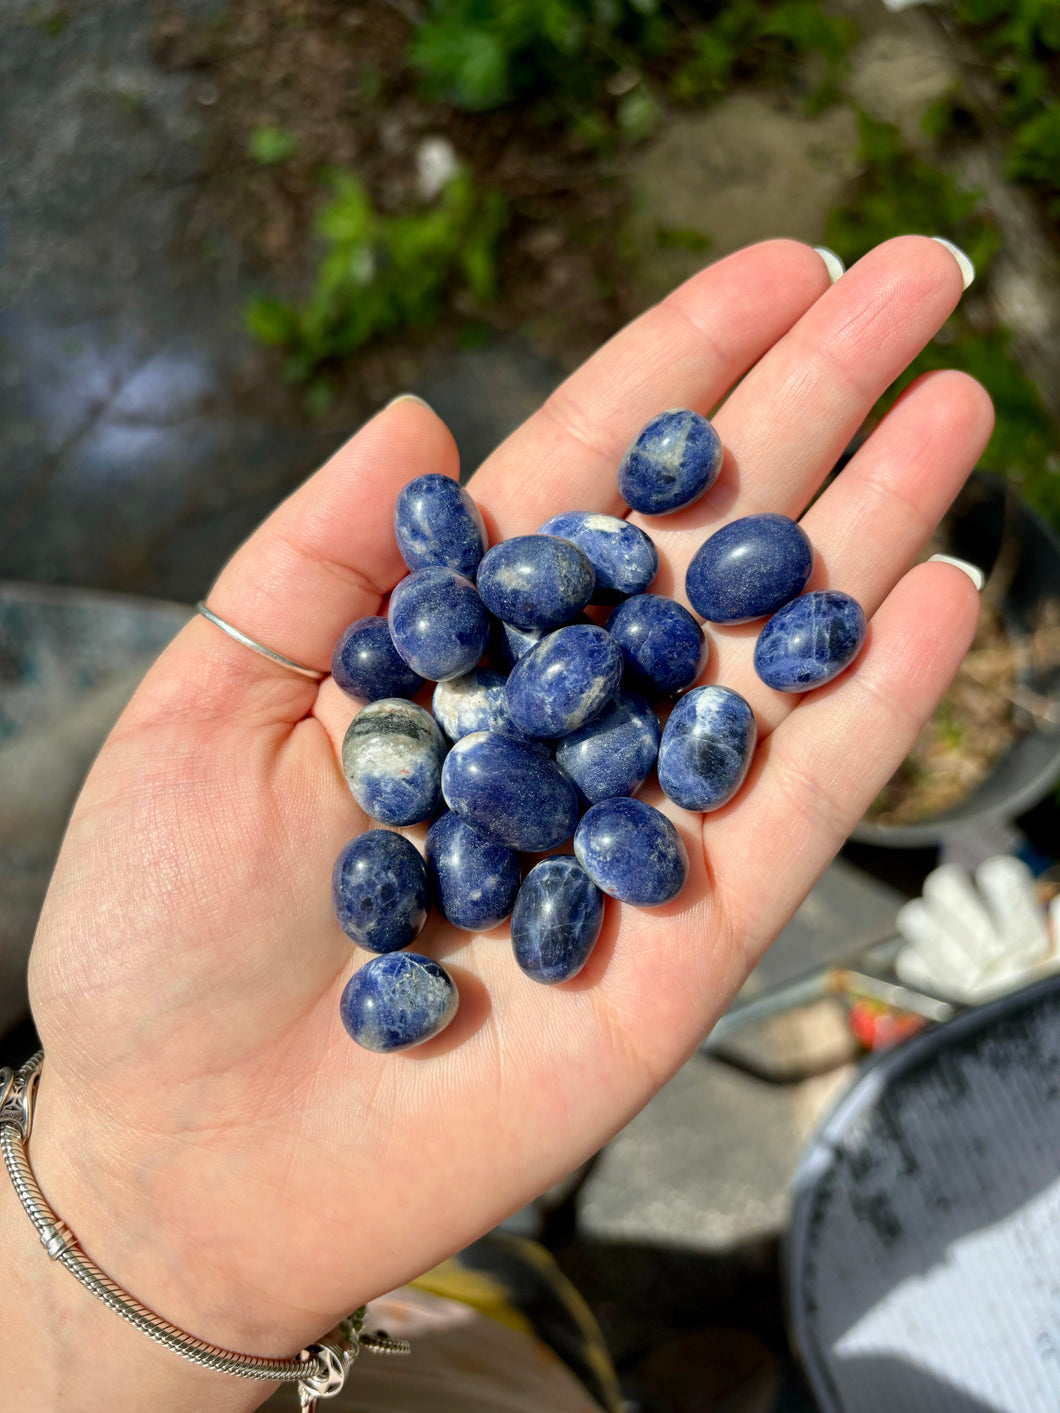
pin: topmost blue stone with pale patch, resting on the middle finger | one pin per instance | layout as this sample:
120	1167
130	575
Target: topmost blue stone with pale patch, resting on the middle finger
673	461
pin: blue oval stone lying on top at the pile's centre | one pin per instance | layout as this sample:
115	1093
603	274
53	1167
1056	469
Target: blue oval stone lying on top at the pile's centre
565	682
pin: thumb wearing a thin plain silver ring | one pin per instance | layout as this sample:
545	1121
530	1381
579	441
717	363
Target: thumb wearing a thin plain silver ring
326	557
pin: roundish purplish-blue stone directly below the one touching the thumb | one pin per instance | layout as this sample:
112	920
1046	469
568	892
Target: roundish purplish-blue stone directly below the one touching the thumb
439	624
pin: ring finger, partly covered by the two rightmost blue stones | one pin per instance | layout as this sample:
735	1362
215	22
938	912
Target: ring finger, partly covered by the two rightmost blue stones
874	521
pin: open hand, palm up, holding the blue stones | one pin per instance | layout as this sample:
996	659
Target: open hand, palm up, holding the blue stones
206	1125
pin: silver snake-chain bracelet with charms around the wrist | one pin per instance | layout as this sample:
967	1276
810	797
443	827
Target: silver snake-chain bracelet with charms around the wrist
320	1370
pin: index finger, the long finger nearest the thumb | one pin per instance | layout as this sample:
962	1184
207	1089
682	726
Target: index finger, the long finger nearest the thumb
685	353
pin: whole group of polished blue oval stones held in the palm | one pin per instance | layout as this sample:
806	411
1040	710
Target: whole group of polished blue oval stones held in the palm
545	724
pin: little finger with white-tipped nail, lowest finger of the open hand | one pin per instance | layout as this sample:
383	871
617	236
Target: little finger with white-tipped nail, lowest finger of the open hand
822	769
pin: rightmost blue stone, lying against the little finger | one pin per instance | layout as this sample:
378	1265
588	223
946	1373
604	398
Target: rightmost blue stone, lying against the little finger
811	641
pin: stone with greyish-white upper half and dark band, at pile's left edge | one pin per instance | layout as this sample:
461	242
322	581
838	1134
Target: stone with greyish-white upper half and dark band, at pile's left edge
392	757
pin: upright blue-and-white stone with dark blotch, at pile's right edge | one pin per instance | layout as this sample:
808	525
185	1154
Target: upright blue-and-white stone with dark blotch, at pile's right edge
707	748
